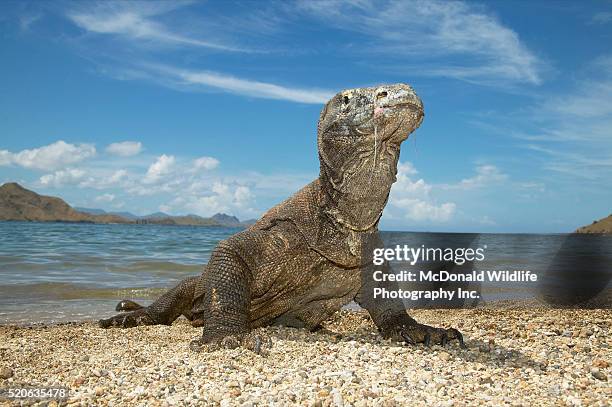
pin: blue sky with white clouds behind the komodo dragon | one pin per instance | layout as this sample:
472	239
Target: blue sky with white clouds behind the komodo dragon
205	107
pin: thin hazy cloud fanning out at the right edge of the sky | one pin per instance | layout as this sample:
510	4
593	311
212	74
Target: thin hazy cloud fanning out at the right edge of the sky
570	132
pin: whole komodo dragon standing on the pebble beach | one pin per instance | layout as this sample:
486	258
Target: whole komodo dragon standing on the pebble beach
304	259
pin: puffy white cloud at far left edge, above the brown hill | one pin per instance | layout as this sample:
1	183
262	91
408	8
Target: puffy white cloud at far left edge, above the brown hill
52	156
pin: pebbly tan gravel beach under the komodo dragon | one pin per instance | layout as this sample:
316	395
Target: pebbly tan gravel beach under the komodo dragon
515	357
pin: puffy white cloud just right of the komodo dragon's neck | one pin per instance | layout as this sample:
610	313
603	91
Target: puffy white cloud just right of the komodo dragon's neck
412	199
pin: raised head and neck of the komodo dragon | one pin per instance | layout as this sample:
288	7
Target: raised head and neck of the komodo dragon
359	136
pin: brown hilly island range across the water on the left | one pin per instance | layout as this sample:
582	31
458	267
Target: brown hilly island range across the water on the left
20	204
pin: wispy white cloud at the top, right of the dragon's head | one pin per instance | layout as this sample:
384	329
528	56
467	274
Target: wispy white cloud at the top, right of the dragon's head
483	49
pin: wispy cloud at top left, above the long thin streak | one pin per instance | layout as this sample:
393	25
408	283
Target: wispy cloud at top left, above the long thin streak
135	21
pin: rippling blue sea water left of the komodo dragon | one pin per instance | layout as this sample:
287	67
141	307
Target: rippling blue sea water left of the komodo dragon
51	272
